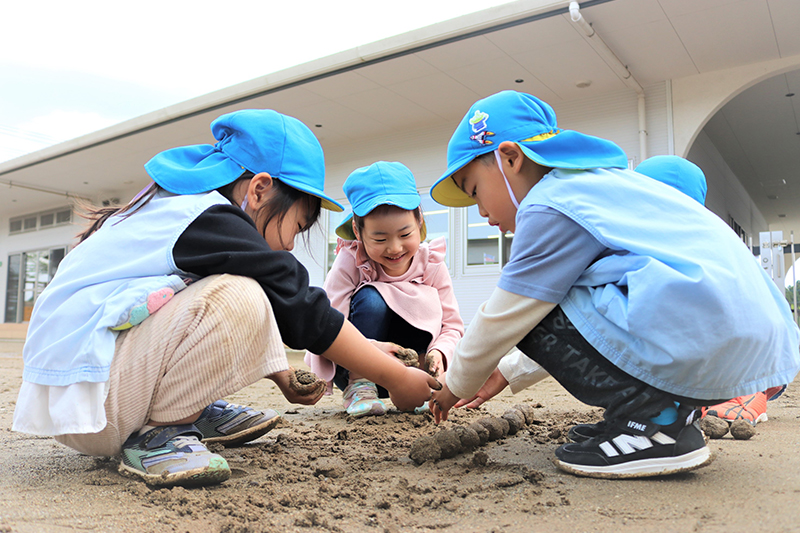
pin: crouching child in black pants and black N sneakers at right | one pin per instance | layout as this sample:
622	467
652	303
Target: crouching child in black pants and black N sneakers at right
618	302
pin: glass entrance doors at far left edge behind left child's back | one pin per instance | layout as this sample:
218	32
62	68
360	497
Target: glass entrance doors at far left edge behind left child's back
28	274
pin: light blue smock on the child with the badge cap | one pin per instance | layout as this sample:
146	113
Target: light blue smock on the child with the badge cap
683	305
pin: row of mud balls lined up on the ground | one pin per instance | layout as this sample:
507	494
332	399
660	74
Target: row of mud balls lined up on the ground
450	442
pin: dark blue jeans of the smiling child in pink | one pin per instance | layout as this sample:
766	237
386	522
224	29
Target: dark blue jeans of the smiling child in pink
373	318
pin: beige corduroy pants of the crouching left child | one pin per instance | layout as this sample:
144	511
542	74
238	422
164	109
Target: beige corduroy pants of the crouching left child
212	339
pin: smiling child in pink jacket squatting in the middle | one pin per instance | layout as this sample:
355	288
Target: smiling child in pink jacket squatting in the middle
388	282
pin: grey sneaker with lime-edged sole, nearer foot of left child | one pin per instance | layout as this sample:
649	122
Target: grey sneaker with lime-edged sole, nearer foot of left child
172	455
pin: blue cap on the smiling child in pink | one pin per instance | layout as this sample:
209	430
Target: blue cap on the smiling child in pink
380	183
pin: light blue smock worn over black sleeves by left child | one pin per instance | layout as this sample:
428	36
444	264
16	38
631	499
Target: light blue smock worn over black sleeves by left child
101	284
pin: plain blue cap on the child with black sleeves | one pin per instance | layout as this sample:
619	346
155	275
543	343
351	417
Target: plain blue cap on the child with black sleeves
258	140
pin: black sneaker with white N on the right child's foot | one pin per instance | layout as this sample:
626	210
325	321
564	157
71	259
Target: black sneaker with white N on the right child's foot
631	449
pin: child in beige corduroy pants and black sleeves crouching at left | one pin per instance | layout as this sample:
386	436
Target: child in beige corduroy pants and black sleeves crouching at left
186	295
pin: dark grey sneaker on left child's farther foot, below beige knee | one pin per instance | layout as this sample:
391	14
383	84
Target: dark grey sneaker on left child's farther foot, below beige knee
232	425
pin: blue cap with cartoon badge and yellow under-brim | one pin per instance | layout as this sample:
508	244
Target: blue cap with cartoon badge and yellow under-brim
531	124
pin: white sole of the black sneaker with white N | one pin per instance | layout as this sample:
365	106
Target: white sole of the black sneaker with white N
661	466
